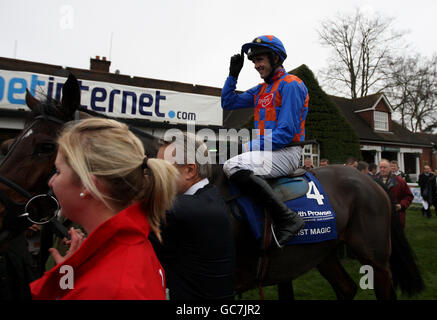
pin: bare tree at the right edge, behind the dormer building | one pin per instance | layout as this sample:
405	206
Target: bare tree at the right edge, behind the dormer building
411	86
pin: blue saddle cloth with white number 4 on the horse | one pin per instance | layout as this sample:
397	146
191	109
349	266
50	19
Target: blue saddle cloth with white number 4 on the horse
303	194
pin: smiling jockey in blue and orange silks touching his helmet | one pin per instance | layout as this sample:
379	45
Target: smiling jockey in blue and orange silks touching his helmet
281	106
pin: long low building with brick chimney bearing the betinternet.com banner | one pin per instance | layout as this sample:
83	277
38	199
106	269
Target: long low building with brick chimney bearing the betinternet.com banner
152	105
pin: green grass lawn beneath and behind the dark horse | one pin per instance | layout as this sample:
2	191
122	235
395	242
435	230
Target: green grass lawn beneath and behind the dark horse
422	236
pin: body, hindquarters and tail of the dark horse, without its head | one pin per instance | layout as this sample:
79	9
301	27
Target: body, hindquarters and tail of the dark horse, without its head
366	222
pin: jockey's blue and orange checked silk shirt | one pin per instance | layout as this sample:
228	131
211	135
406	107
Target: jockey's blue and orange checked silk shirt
280	105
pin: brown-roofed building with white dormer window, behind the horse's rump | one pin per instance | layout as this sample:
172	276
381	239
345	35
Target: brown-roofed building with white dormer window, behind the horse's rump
381	137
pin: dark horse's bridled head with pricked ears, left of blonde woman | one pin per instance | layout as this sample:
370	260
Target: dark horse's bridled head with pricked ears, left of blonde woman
29	160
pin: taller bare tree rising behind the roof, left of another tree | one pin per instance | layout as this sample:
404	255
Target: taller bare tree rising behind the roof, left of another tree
361	47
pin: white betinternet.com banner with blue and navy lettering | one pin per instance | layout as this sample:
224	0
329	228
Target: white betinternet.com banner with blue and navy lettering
114	100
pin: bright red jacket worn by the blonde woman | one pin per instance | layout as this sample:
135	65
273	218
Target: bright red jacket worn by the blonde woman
116	261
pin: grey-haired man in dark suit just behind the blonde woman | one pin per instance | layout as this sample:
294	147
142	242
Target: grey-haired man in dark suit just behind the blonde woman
197	251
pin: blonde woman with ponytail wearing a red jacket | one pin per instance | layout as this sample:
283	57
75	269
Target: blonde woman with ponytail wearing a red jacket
104	183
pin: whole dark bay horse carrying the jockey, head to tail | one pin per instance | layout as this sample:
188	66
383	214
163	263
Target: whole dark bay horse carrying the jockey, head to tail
365	217
